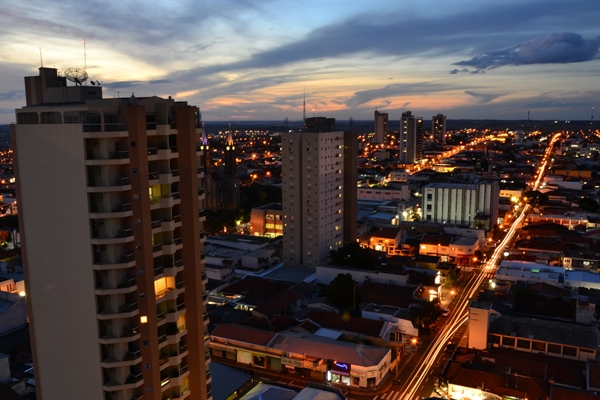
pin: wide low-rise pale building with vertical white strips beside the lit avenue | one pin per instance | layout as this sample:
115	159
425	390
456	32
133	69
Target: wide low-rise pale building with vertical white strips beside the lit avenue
469	204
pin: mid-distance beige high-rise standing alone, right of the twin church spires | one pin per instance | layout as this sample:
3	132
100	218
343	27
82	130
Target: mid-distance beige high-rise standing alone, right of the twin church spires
319	194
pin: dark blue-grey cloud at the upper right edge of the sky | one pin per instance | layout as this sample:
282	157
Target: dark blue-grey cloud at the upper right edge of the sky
562	48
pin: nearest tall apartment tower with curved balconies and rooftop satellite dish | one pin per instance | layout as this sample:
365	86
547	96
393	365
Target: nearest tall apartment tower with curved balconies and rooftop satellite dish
111	226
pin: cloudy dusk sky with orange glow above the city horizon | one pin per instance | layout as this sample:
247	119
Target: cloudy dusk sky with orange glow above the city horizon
253	59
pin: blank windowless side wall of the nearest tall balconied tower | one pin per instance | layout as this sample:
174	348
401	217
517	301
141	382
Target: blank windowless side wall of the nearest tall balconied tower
52	188
